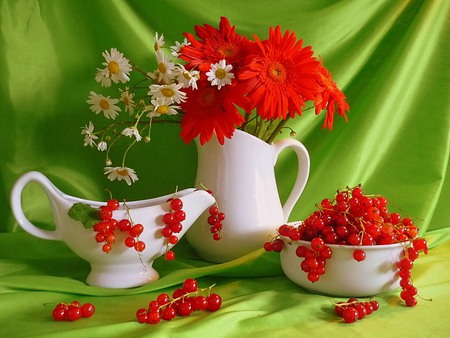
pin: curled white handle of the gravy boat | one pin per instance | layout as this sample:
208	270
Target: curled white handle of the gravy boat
16	204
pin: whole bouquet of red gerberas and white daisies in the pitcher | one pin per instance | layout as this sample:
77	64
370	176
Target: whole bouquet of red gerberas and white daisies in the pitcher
211	84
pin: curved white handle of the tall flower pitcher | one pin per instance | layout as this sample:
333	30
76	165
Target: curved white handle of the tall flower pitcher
302	173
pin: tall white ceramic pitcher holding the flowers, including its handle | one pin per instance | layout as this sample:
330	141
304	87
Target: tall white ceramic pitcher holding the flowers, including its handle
241	174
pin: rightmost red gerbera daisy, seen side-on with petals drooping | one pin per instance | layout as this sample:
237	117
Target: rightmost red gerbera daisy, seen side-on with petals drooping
330	97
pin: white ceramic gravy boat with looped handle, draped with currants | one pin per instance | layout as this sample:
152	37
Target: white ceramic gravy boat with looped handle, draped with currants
122	267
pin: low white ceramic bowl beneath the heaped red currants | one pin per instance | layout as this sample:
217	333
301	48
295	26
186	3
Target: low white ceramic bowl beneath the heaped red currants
344	276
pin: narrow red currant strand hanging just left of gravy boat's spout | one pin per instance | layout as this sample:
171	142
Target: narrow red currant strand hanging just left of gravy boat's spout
172	225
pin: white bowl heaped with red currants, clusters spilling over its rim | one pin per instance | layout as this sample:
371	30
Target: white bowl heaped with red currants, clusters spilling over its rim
350	246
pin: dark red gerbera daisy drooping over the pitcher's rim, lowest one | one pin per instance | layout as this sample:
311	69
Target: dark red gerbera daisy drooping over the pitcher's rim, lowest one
209	111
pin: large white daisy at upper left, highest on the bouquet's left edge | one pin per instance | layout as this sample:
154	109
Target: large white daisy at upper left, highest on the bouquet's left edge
117	68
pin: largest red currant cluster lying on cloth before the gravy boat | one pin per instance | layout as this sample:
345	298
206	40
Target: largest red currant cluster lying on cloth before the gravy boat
184	301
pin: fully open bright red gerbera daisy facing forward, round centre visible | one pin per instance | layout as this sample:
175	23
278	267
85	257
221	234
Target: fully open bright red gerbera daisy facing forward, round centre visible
282	77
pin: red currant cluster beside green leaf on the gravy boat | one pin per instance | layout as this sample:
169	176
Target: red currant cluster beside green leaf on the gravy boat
108	225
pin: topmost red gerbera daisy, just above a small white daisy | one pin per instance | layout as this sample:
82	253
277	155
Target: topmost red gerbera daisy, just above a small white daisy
215	45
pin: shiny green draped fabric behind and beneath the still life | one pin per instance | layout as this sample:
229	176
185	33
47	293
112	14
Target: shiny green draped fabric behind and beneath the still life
390	57
